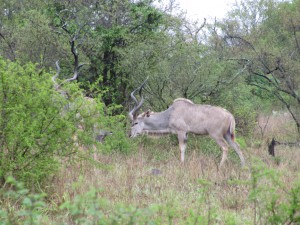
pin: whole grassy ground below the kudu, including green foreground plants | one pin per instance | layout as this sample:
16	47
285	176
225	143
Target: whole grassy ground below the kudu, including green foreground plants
145	183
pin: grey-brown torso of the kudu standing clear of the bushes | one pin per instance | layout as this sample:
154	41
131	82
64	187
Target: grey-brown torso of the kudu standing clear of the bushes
200	119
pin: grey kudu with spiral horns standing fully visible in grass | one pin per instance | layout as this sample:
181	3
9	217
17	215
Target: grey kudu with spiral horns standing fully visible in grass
184	117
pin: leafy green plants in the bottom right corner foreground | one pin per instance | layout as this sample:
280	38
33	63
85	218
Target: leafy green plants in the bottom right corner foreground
272	202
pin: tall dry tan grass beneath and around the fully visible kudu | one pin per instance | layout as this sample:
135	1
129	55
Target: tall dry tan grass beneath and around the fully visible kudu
154	175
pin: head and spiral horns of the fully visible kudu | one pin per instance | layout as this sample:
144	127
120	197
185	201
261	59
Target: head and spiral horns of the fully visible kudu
137	121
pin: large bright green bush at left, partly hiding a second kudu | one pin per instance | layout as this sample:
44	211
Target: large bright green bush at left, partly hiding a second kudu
37	124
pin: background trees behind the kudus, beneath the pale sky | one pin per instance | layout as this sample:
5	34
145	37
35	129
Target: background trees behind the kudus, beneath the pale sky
120	43
